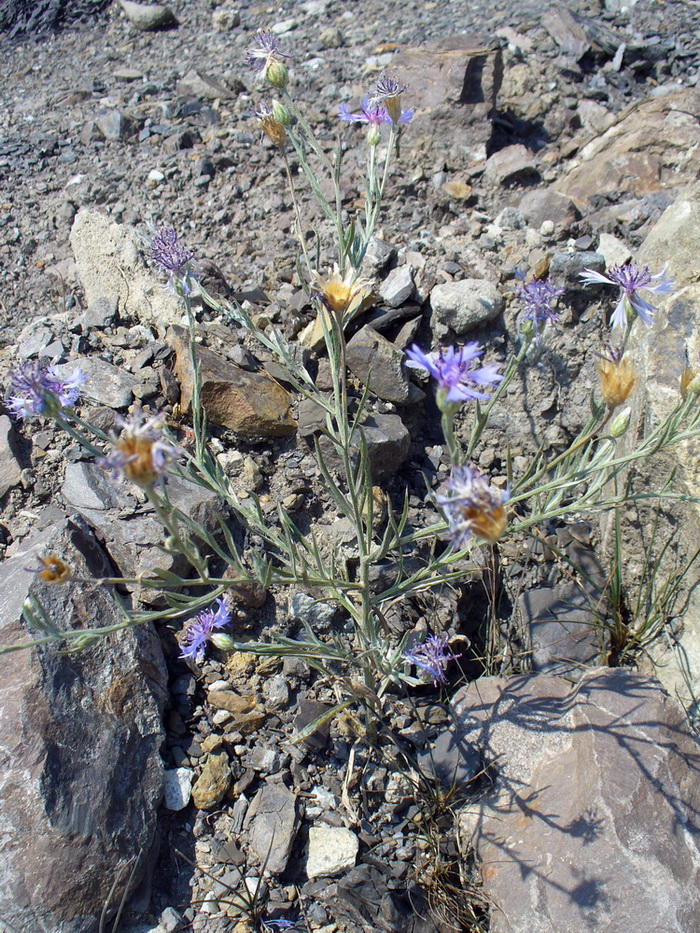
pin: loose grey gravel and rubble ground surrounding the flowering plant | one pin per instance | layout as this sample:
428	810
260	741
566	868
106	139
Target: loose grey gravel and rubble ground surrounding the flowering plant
558	144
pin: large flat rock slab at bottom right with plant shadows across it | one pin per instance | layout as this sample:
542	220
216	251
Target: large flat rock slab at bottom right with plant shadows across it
592	822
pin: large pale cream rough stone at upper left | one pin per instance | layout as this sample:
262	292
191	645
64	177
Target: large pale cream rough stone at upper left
110	263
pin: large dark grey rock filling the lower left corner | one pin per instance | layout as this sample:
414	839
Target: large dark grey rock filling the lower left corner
80	770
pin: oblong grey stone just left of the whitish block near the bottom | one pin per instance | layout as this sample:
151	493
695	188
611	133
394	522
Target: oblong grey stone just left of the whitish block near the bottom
274	825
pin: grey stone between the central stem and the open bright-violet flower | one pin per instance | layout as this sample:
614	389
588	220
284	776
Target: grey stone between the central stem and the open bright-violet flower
379	365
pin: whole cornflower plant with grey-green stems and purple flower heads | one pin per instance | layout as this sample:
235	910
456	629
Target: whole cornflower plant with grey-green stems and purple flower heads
471	510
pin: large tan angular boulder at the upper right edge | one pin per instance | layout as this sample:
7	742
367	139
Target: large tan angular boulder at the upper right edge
652	146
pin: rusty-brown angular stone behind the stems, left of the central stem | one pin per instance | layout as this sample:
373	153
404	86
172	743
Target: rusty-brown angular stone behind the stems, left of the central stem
249	403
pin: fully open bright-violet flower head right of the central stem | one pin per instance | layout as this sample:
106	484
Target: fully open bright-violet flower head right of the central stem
454	371
